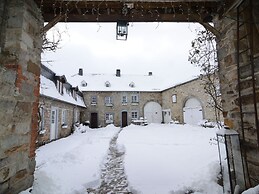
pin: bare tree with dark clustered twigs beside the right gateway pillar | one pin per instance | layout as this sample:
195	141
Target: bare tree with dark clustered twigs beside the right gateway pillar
204	54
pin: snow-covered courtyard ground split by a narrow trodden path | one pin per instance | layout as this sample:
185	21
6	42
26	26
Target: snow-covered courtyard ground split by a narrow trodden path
157	159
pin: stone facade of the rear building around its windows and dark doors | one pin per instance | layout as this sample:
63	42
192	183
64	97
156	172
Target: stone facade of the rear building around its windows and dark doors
118	107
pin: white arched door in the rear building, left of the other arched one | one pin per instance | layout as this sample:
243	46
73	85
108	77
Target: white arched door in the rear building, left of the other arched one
153	112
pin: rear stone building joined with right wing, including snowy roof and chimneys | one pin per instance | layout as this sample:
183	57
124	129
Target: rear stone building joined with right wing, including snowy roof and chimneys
121	99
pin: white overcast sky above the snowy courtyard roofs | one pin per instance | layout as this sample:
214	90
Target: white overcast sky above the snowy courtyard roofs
158	47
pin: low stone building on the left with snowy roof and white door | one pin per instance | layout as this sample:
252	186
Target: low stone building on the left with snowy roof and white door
60	106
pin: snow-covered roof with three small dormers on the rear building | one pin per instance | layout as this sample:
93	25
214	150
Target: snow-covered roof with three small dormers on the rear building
124	82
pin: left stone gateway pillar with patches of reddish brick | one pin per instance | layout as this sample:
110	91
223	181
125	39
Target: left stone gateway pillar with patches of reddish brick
20	49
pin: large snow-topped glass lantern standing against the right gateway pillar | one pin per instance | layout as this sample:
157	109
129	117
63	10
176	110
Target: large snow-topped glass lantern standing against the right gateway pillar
231	163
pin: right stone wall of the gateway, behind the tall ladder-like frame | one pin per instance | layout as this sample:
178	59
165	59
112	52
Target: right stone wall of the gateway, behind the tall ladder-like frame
227	56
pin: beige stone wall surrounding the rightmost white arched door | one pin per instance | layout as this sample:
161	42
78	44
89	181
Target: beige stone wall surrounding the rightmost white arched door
183	92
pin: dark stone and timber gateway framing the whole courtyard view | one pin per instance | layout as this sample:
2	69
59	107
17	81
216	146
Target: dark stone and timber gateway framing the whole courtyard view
236	28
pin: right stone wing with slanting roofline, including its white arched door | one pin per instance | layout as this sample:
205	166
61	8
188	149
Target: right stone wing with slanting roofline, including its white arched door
188	102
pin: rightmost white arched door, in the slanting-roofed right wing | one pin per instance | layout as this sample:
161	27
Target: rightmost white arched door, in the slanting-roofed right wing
192	111
